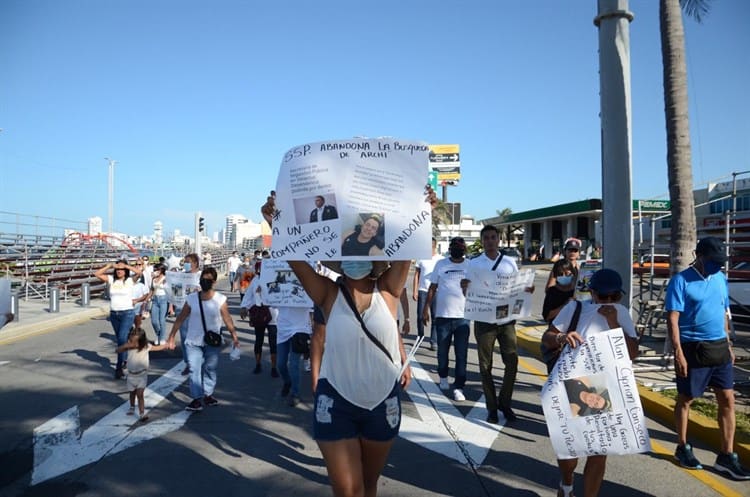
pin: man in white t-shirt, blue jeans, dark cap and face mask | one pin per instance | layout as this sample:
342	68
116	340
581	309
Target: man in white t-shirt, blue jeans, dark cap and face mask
450	324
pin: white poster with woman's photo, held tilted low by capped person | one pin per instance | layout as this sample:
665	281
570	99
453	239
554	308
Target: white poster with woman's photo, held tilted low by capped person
591	401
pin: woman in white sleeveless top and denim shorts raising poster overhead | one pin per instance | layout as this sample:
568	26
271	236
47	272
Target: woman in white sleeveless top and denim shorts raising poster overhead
356	382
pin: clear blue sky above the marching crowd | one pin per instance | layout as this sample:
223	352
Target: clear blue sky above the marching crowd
197	101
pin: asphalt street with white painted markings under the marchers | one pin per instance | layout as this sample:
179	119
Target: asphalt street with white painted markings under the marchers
254	444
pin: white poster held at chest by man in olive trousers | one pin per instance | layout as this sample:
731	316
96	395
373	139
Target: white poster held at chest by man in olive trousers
492	297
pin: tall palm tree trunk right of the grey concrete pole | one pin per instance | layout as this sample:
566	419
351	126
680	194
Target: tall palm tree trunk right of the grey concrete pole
679	168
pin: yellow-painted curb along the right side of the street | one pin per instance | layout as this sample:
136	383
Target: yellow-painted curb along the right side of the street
657	406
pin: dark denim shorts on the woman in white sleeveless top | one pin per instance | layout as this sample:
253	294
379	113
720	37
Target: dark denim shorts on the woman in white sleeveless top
335	418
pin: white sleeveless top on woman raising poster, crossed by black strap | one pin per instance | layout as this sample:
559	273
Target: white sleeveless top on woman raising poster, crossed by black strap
352	363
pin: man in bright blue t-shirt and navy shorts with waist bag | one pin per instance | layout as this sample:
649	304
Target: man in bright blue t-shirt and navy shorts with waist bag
698	324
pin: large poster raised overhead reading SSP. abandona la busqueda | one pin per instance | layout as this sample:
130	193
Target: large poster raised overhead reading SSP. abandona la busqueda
353	199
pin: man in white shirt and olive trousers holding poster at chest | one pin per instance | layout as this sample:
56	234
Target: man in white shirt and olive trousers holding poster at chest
503	331
